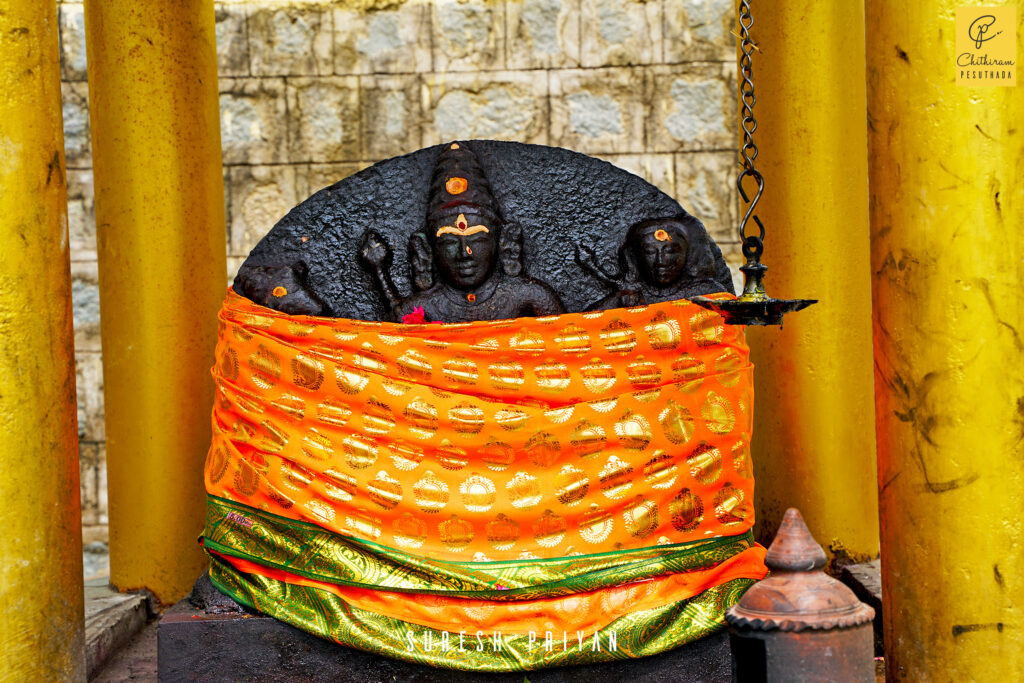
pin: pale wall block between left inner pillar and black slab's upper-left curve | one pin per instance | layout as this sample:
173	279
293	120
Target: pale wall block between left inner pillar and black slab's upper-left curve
261	196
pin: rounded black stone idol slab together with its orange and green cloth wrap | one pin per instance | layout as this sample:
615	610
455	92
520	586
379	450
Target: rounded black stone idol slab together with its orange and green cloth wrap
380	445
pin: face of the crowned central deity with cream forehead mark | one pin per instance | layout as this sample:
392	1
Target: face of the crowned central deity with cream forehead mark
465	250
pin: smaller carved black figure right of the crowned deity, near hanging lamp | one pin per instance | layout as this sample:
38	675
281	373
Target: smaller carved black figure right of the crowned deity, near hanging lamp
661	260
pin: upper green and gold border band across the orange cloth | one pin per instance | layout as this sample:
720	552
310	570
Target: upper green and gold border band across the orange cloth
236	530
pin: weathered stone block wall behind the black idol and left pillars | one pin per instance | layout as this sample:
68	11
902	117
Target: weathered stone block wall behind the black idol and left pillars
313	92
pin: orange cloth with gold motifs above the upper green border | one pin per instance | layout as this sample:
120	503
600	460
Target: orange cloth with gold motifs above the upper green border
496	441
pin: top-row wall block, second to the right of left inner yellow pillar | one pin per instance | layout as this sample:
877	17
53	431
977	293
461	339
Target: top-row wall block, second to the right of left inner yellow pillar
295	40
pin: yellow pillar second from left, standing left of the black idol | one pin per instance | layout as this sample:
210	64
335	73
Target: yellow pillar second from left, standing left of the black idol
160	217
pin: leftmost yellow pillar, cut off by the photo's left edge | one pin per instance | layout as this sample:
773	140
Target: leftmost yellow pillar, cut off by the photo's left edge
41	615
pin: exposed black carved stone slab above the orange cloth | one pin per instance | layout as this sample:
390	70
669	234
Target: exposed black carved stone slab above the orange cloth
337	253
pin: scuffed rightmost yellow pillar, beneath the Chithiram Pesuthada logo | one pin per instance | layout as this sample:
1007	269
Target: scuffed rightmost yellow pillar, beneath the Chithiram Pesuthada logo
948	252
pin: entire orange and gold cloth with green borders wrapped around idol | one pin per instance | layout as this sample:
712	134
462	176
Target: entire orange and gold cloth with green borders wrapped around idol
493	496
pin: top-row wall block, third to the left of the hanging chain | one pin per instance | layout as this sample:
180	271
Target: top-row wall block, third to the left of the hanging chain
542	34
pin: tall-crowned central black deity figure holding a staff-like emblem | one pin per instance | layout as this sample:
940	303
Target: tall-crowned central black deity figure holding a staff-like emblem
467	263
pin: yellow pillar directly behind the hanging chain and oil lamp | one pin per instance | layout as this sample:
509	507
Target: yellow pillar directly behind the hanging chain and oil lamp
814	437
